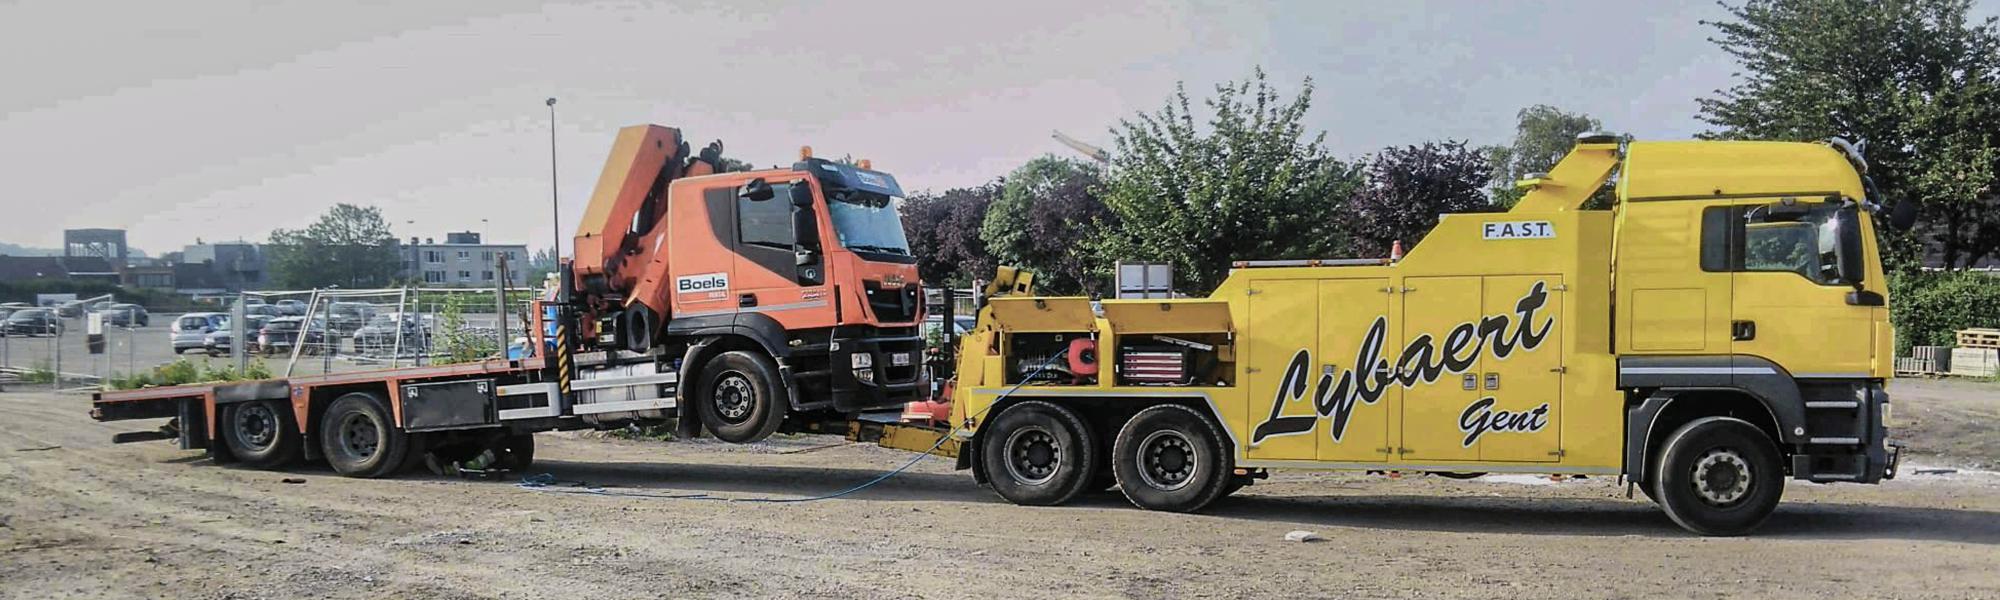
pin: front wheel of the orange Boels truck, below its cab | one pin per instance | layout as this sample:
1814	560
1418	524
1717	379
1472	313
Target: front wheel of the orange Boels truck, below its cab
741	399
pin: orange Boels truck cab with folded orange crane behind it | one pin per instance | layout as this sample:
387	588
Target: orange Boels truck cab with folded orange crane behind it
745	297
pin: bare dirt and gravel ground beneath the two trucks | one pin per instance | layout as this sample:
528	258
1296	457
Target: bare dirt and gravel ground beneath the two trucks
85	519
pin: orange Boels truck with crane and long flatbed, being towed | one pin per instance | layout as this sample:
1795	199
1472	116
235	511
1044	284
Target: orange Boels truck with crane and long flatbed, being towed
733	303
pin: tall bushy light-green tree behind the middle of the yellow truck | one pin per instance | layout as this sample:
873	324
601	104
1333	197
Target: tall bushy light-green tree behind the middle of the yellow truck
1247	183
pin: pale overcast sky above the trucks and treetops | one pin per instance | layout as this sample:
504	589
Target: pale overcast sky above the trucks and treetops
223	121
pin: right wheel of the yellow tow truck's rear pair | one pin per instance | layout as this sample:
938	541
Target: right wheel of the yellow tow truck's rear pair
1171	459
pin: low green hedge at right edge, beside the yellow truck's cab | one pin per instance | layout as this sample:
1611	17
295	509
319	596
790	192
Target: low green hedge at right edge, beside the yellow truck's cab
1931	307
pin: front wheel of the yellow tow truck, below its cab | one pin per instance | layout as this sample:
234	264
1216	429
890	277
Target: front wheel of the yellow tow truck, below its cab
1719	477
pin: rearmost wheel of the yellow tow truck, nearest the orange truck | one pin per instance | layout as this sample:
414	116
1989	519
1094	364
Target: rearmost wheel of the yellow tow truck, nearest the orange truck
1039	455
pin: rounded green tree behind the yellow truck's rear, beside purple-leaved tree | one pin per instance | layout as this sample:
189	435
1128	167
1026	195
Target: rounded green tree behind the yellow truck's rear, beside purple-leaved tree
1047	217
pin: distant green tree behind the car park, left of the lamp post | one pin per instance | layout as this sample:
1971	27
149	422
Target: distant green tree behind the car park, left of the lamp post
349	247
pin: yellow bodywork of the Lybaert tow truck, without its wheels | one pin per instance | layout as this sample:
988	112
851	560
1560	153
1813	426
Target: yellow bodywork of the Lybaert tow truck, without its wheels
1495	343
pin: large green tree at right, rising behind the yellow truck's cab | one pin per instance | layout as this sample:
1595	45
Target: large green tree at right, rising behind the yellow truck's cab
1913	79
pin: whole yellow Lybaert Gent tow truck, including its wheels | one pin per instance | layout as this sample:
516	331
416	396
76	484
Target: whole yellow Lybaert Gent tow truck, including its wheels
1719	331
